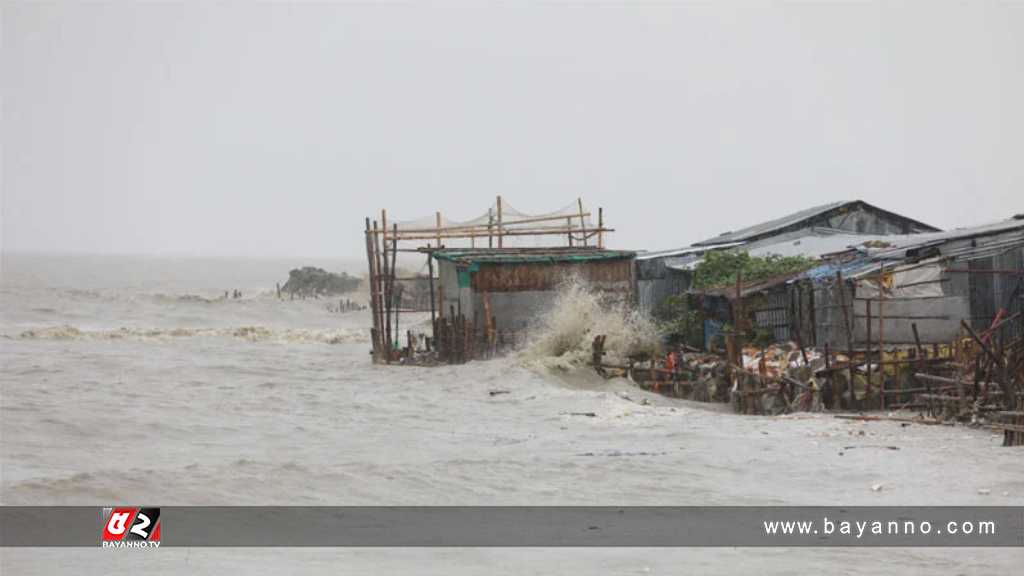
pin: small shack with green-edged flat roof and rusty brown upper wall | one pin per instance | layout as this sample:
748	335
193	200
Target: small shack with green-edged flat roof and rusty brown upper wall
501	293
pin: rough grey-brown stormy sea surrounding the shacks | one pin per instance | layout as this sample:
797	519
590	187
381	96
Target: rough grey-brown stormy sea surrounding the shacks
144	381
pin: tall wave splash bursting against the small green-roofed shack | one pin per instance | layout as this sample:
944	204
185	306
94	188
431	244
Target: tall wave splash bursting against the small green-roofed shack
564	338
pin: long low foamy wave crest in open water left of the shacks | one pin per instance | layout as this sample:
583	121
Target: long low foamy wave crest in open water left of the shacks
250	334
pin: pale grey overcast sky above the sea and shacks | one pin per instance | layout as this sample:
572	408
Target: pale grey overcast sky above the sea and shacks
276	130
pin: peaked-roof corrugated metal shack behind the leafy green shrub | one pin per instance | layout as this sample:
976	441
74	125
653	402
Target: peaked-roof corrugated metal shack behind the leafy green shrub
812	233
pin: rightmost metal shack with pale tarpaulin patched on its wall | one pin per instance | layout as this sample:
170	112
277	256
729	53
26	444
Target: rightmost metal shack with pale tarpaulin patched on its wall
928	281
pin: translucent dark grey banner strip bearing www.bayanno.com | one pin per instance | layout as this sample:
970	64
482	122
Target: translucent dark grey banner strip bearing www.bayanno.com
535	526
